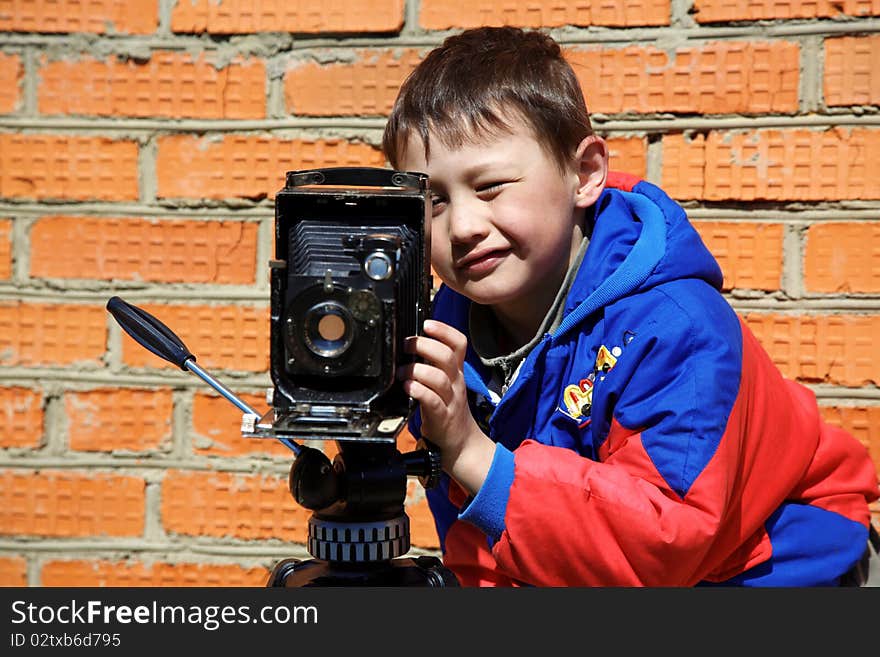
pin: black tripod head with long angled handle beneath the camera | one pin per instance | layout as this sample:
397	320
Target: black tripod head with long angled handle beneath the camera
358	531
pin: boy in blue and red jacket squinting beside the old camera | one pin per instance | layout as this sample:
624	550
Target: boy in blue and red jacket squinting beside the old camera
603	416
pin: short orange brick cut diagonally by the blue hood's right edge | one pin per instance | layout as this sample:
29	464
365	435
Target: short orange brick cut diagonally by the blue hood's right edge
749	253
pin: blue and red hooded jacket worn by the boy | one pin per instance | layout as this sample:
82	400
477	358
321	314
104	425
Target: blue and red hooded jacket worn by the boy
649	439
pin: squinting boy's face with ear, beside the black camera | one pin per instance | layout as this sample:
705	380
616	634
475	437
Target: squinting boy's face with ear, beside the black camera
506	220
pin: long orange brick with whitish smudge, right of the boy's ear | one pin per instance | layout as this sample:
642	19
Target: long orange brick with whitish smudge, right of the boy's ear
795	165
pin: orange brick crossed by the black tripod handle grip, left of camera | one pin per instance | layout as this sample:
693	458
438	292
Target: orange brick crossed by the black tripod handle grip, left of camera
227	337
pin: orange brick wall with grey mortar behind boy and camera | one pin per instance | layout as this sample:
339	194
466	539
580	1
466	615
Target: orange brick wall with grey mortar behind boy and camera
141	145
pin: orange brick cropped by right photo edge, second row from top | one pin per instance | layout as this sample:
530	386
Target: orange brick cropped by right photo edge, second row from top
851	75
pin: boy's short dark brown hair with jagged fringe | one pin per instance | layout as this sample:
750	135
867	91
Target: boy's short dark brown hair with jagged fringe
472	84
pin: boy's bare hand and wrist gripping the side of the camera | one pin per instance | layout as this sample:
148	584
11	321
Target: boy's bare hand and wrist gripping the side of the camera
438	385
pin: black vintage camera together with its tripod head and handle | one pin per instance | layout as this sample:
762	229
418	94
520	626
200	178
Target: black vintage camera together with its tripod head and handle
350	281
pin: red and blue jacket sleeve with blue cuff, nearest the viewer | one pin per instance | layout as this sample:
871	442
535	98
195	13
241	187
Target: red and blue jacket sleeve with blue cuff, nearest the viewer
699	440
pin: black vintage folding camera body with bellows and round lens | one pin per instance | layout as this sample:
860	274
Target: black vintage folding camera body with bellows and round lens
350	281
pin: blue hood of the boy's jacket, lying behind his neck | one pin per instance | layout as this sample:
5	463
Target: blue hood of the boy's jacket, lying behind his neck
638	239
